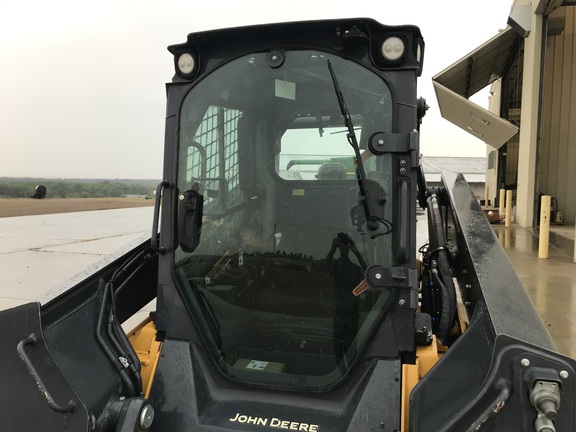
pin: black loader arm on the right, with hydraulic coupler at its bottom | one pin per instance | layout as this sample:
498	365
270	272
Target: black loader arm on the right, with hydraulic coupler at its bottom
489	378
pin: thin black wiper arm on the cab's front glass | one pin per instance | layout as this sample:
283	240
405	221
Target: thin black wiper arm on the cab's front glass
371	219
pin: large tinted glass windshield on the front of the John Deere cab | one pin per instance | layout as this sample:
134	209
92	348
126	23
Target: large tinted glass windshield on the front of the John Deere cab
283	243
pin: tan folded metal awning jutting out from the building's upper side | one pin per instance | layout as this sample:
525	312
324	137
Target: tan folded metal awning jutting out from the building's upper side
471	74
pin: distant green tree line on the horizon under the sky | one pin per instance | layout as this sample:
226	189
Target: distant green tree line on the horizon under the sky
72	189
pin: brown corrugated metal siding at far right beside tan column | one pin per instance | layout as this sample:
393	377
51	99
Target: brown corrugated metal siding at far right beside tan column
557	164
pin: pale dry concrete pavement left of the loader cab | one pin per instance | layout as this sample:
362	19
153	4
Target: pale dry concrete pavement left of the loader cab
41	256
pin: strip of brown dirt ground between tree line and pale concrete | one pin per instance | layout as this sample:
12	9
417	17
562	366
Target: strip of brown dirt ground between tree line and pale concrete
10	207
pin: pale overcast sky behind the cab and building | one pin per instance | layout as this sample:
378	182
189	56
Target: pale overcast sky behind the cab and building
82	83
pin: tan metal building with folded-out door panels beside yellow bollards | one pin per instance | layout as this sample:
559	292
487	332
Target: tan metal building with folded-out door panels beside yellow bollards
530	130
